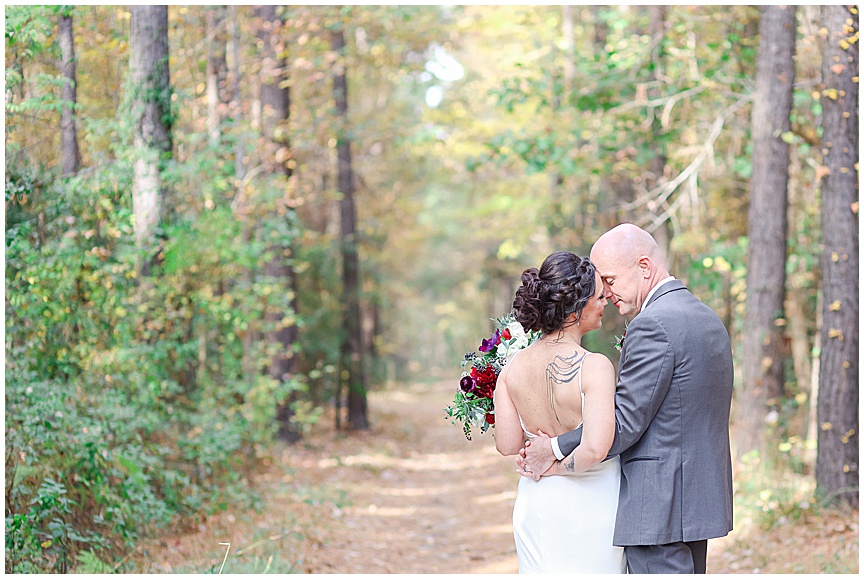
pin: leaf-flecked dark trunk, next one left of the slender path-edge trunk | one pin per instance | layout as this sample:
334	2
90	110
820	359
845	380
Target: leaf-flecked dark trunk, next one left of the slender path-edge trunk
276	110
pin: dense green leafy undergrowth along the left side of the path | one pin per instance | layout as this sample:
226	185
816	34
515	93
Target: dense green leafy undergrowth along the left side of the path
128	401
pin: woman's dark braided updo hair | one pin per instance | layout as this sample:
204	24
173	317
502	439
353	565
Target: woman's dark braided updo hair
562	286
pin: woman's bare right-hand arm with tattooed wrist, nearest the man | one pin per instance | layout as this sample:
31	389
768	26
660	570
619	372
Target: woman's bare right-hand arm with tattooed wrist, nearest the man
598	418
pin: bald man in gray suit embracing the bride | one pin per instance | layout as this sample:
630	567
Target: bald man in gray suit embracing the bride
671	412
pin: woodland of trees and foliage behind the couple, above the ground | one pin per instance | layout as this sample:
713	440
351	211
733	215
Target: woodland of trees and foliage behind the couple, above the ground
225	224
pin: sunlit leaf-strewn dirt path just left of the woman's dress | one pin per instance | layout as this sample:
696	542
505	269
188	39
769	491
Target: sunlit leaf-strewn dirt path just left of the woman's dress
423	499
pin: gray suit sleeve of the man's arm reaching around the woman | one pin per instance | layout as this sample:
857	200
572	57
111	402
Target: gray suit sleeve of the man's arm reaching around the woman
646	374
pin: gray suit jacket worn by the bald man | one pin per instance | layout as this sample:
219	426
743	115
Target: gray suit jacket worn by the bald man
672	423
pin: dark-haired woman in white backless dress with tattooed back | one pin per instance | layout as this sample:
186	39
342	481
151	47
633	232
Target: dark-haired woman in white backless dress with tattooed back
562	523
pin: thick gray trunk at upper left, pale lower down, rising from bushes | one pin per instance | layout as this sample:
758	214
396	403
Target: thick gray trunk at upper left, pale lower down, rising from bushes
151	108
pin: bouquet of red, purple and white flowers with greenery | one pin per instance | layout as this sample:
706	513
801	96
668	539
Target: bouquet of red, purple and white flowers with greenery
472	405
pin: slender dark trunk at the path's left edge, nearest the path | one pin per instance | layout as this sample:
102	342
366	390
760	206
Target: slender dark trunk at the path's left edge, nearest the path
352	366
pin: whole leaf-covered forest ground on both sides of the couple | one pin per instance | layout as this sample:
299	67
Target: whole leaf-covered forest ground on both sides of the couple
411	495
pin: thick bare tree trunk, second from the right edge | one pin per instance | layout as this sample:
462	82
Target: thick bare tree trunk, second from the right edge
763	337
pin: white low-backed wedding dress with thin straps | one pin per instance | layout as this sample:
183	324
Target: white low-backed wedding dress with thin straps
564	524
